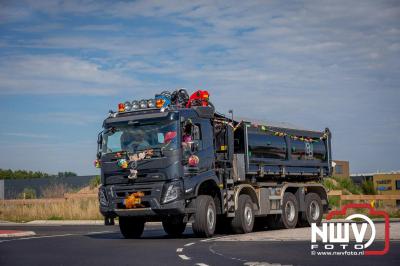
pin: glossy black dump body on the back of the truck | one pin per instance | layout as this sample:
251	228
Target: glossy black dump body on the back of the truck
280	153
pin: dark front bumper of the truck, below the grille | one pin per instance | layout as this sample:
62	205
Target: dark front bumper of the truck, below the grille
151	200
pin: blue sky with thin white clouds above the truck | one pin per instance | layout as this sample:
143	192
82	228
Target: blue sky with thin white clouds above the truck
64	64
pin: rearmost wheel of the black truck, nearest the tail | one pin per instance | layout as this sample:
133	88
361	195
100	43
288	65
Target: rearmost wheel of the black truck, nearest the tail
314	211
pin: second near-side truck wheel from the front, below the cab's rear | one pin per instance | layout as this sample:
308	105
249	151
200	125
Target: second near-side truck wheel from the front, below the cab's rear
243	221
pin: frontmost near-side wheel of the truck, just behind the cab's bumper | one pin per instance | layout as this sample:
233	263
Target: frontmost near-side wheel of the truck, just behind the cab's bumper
205	217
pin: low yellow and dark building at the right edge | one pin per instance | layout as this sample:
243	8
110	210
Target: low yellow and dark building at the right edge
387	183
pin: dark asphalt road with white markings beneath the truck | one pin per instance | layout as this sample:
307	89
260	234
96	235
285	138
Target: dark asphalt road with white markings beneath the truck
101	245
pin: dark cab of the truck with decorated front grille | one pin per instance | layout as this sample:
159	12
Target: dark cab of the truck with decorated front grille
182	157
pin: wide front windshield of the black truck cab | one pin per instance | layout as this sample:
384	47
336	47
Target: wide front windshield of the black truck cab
137	136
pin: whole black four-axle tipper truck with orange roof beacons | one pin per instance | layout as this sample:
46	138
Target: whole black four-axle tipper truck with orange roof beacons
176	160
